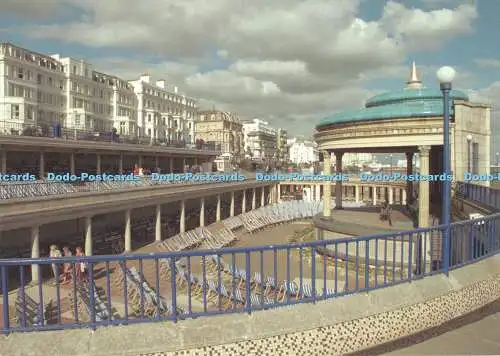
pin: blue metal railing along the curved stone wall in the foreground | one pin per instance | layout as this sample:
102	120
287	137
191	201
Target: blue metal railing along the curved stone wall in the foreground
125	289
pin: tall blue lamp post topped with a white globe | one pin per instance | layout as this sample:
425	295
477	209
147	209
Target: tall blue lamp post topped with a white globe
445	77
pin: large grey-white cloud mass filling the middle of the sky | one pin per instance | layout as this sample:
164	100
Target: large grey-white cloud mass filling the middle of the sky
281	60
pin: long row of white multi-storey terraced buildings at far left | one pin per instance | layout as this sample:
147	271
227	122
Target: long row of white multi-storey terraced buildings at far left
39	91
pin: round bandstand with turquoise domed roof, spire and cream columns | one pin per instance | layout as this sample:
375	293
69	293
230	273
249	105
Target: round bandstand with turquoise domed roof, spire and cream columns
410	121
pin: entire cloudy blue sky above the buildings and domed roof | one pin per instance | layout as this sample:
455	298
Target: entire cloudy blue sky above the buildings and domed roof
290	62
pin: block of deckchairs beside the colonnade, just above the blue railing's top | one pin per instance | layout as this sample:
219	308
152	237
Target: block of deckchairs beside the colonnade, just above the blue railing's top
198	238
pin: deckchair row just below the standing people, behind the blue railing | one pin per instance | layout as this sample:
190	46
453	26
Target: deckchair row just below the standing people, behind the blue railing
85	308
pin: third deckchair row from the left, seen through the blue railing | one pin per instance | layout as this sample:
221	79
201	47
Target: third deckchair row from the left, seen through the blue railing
144	299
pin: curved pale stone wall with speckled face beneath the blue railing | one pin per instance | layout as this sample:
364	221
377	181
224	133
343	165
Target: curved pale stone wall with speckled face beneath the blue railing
333	327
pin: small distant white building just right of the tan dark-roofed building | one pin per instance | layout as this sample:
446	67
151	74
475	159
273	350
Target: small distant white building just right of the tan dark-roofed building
260	140
